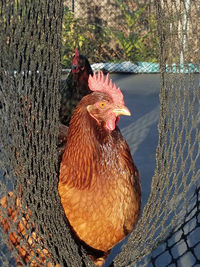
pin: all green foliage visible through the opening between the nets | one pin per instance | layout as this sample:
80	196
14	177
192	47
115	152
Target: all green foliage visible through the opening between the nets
130	41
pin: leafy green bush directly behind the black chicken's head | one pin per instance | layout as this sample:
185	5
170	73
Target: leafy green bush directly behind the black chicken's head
91	39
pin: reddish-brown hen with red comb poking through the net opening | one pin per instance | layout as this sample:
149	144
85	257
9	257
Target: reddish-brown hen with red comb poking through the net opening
99	184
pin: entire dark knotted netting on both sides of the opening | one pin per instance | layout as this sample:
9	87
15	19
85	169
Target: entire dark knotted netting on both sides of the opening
30	71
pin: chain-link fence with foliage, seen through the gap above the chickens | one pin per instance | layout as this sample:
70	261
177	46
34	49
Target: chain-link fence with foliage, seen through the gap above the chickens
111	31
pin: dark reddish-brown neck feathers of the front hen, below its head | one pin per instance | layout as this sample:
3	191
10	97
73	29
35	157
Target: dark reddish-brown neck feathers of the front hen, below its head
90	151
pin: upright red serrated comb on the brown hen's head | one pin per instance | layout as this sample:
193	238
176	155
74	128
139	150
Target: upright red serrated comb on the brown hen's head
97	83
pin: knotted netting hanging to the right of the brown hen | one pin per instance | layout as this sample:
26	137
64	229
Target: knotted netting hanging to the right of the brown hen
167	233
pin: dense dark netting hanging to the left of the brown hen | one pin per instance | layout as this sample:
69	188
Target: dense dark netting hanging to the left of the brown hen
30	71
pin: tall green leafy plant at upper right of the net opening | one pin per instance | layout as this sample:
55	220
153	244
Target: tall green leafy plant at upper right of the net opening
136	42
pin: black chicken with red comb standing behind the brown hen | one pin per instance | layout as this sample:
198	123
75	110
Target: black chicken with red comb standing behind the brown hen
72	90
